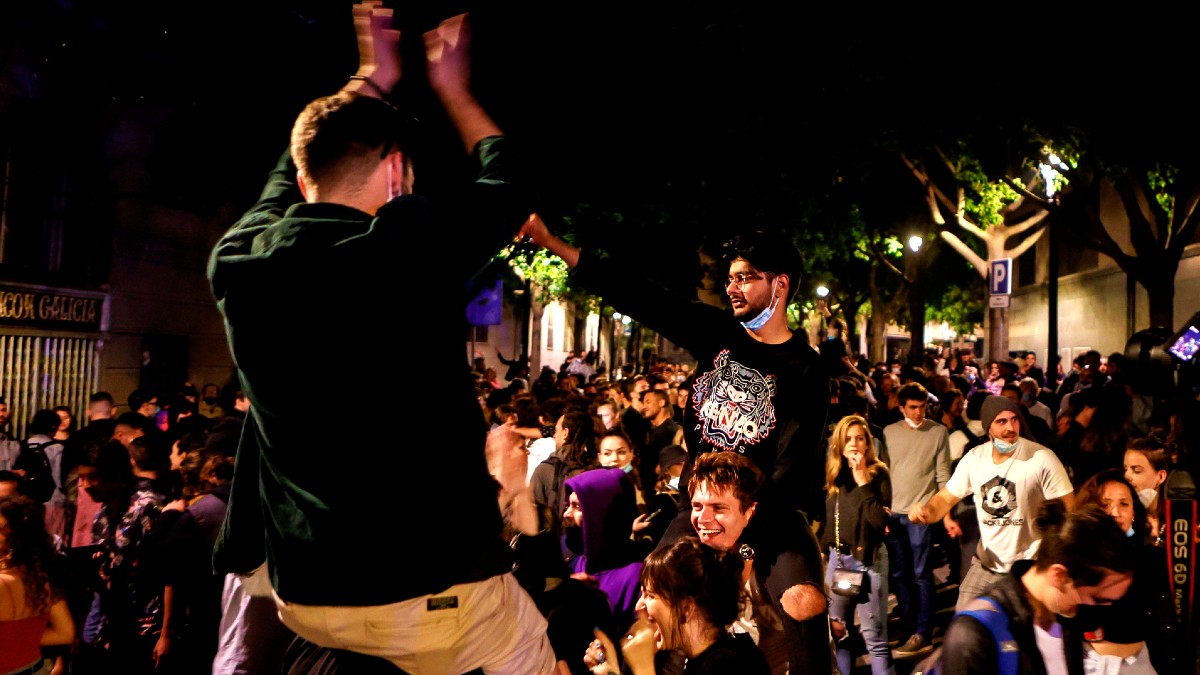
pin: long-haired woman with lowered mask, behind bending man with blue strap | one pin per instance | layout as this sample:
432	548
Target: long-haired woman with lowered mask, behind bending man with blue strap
1137	634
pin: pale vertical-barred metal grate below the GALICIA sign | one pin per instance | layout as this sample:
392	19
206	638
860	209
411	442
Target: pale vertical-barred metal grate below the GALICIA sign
41	373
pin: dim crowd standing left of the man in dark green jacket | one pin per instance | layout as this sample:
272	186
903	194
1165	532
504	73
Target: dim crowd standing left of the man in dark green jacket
107	530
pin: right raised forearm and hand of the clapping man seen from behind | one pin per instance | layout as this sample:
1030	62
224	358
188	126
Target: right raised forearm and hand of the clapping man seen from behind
448	63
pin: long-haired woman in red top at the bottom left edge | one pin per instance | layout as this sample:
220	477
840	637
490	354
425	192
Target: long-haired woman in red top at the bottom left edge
34	611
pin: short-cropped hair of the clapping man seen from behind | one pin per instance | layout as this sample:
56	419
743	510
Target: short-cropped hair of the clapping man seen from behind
338	141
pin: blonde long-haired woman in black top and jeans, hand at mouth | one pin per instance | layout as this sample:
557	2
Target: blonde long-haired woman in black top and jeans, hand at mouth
860	497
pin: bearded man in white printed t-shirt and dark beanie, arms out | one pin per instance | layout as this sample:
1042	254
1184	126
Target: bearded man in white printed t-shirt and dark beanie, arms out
1011	477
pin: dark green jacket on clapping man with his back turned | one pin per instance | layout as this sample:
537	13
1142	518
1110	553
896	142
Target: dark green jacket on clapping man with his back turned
343	325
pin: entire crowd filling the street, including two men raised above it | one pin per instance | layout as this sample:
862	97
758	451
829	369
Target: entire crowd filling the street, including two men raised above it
752	512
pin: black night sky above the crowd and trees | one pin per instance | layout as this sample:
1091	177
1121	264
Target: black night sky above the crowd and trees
614	100
